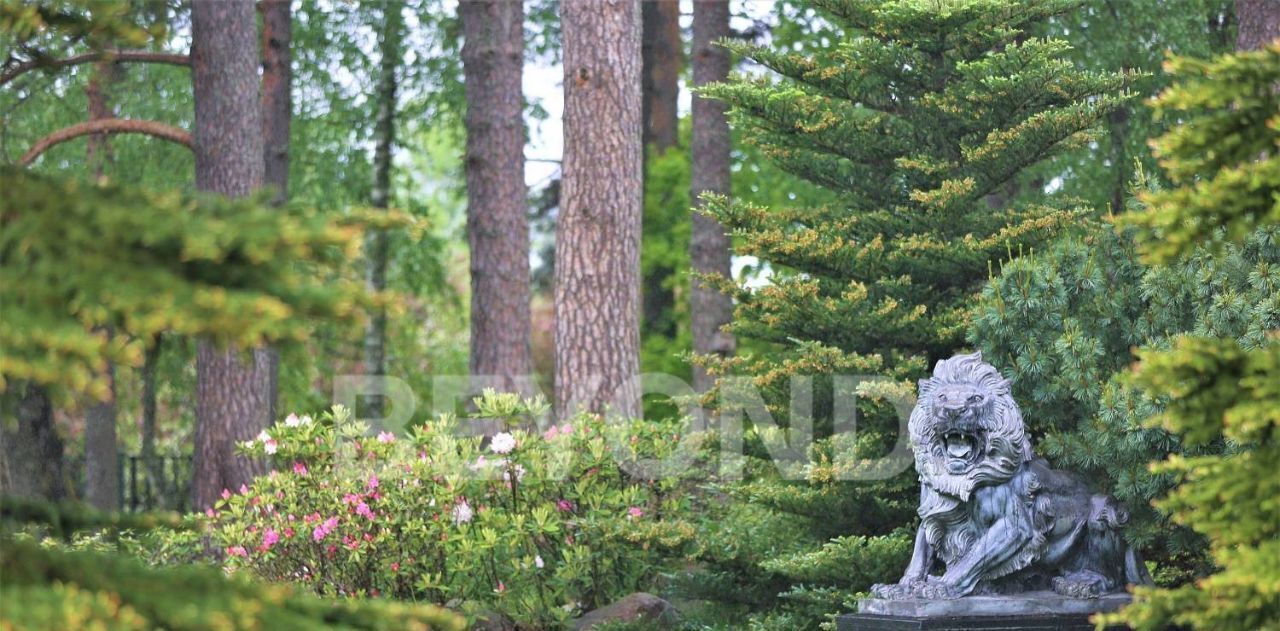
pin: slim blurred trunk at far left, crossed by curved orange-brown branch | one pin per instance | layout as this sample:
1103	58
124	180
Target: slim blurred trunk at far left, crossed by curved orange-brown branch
102	456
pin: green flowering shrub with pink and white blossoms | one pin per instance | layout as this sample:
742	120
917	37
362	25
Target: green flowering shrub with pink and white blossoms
537	525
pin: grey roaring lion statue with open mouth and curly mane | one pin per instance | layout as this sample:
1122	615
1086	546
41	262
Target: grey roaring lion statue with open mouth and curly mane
995	519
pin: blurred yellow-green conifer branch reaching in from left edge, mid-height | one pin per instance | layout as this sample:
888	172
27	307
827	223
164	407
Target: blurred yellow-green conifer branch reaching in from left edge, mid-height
90	273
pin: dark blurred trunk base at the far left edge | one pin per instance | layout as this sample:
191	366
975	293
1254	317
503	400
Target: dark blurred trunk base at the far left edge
33	452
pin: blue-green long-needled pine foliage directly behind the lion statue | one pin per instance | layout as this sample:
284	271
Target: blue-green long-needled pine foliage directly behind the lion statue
1062	326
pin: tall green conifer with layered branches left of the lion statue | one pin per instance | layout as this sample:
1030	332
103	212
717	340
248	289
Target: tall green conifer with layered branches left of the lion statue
913	117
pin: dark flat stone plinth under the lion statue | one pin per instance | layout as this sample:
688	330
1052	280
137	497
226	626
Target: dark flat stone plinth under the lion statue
1041	611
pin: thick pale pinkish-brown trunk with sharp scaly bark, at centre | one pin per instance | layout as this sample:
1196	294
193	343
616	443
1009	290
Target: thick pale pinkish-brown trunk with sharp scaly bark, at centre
598	232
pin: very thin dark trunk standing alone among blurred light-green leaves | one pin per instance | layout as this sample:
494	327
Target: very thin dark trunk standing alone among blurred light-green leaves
376	245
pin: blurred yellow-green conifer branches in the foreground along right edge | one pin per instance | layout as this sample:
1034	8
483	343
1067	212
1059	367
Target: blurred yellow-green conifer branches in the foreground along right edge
1218	391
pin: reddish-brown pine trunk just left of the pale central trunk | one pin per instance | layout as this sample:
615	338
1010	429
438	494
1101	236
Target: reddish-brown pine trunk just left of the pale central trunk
493	60
